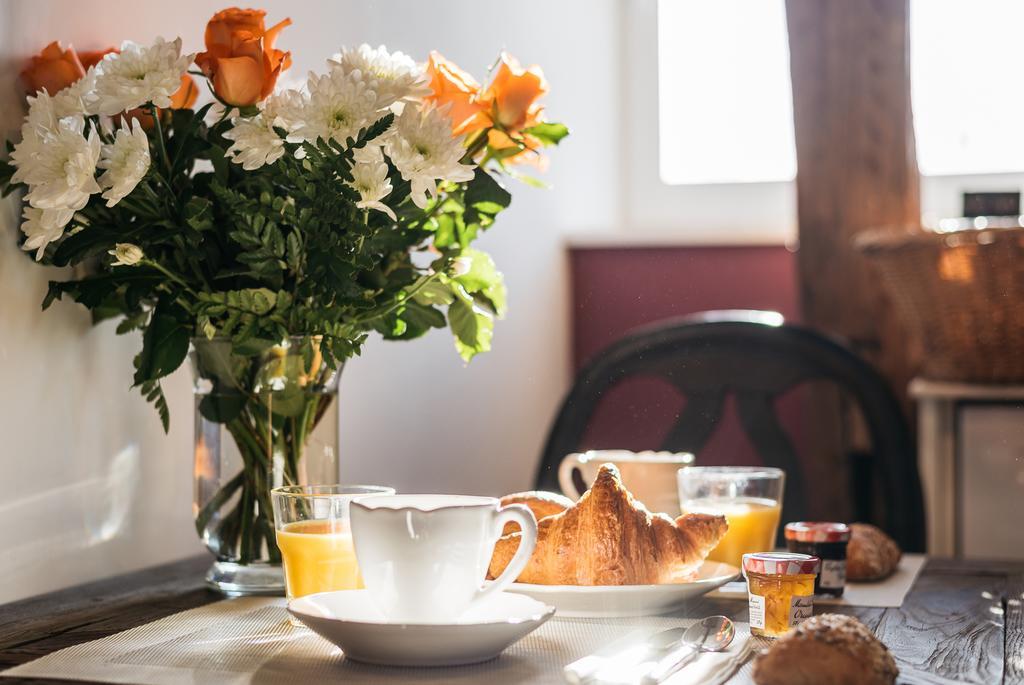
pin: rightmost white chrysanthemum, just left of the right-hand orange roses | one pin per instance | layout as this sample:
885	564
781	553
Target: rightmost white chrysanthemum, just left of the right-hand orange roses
422	148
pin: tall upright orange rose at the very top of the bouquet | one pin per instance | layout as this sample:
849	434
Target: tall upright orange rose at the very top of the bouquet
240	58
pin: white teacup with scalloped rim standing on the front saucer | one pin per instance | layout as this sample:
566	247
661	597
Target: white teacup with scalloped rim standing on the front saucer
424	558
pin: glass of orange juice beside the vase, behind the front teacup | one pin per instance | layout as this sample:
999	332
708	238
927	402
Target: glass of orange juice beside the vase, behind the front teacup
315	536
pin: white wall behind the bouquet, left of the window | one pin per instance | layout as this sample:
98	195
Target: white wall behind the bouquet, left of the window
93	487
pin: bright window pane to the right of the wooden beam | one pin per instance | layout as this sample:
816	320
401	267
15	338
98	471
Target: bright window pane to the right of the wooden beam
968	100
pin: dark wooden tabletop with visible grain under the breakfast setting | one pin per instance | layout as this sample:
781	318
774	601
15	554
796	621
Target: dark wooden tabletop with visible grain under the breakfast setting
962	623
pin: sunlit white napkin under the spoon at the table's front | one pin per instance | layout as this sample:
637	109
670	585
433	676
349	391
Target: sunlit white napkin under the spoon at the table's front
627	664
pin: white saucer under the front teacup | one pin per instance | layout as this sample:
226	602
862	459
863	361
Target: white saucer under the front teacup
350	620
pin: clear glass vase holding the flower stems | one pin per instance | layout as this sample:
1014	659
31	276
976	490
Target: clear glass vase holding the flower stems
266	417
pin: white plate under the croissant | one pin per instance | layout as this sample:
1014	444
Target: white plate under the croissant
628	601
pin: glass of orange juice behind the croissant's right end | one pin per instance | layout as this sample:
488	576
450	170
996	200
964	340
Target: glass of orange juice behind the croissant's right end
750	498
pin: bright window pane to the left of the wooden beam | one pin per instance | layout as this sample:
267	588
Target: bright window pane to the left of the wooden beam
726	102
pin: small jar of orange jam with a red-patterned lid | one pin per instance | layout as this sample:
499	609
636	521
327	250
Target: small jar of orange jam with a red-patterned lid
781	588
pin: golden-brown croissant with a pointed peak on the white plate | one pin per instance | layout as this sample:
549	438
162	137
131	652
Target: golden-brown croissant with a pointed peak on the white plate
608	538
